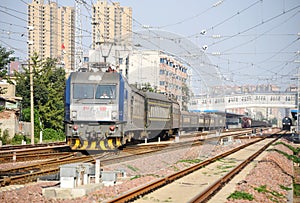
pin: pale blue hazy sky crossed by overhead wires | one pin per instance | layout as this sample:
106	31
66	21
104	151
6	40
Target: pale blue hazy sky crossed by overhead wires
249	41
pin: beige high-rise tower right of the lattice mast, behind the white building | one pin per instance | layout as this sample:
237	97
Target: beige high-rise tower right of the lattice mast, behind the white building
111	23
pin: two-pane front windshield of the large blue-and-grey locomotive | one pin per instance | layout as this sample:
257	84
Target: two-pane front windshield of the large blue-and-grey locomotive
87	91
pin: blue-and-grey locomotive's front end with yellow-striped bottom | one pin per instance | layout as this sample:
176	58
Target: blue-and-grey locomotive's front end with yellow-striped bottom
94	110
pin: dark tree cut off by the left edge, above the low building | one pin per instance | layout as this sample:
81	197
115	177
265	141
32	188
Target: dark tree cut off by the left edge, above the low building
5	59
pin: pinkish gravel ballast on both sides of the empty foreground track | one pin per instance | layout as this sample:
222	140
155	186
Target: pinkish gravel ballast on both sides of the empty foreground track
275	171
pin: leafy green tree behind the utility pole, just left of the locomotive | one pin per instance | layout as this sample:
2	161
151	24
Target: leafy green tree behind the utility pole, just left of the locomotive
48	87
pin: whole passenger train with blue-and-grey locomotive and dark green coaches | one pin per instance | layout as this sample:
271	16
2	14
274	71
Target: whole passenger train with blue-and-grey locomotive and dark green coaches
104	112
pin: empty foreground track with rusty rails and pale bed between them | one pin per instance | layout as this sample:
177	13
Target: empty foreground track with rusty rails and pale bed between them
184	186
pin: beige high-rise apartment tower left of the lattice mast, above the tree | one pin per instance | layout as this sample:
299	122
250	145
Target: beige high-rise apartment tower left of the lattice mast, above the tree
51	32
